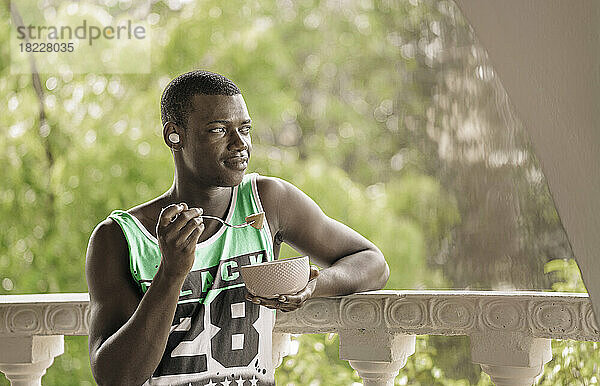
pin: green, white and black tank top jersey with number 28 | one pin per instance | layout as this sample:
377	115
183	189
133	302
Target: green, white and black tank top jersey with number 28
216	335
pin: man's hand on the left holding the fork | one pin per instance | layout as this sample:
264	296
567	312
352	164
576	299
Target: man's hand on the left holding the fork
178	230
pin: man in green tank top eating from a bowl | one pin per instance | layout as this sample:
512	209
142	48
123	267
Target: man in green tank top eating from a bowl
167	303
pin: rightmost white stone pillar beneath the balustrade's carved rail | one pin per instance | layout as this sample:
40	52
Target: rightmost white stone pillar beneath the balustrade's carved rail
510	359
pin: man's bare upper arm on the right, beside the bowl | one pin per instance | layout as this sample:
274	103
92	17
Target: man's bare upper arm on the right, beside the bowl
302	224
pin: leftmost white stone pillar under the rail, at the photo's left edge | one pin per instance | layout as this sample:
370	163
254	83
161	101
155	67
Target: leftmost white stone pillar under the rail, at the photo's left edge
24	359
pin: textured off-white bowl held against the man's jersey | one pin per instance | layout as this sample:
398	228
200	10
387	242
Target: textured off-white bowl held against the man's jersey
278	277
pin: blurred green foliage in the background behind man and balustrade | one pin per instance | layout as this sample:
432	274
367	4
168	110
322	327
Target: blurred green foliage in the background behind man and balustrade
351	102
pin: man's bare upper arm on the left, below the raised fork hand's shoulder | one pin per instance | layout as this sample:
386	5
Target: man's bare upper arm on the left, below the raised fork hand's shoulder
113	295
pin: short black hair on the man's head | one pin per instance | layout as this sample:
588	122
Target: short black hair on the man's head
175	102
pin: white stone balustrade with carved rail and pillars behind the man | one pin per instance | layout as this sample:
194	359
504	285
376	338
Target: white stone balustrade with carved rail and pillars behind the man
510	332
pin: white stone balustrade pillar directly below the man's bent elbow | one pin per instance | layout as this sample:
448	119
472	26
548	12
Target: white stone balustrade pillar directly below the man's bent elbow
377	356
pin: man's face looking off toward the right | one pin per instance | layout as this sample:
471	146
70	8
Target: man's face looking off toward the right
218	145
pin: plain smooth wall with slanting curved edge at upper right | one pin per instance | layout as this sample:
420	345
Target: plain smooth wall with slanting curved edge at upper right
547	55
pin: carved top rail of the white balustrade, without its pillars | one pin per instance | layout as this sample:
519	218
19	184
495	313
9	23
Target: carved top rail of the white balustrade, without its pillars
555	315
